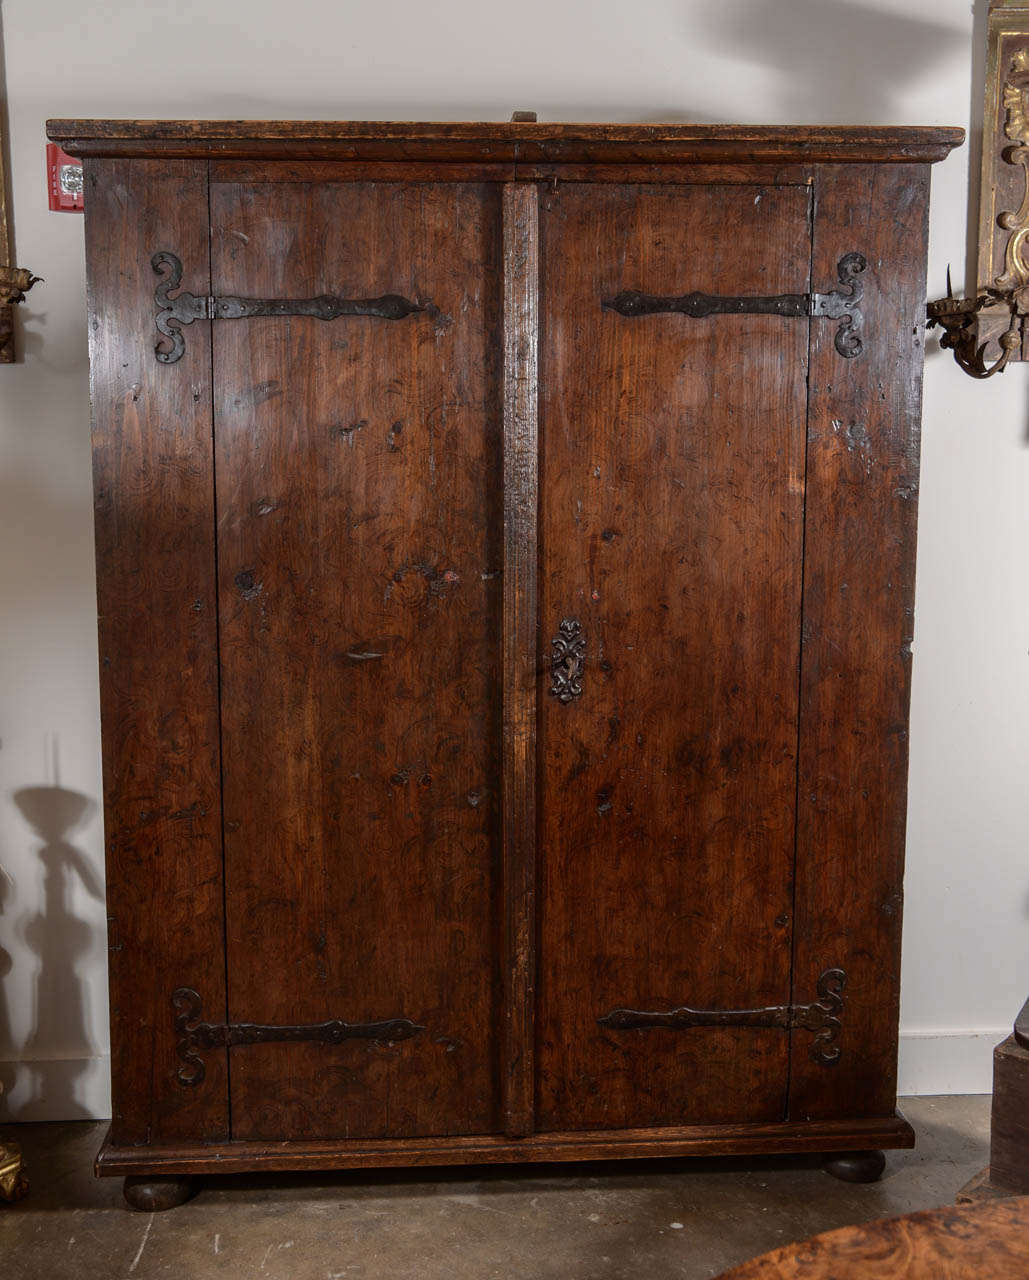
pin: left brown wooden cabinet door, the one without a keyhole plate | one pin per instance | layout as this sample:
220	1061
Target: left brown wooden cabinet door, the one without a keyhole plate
360	550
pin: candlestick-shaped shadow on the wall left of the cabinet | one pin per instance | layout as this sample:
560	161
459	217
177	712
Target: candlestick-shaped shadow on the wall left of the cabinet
61	940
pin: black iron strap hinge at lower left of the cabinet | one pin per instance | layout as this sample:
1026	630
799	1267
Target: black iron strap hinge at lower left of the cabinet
196	1036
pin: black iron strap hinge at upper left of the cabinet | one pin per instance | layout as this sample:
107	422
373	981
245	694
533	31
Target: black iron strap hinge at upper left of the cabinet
187	308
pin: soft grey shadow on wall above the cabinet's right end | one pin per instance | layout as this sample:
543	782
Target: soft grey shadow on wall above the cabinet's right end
840	62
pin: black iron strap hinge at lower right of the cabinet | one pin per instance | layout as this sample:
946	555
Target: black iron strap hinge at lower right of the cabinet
822	1018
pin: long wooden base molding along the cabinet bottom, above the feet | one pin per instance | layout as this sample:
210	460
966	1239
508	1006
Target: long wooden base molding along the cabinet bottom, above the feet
752	1140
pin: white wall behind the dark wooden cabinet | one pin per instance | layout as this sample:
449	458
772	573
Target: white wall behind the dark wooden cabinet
774	62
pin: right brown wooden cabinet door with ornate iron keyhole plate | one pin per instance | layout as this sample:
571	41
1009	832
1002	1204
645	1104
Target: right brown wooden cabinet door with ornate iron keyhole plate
671	554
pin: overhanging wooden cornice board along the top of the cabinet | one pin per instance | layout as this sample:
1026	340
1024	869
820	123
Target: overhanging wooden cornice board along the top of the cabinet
510	143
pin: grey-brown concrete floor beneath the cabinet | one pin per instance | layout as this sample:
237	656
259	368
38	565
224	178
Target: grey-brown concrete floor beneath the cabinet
639	1219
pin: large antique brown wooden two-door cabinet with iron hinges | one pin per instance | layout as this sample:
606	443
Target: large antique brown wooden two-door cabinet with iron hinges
506	542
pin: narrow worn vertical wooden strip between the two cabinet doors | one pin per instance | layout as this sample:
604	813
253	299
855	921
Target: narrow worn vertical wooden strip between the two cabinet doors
520	644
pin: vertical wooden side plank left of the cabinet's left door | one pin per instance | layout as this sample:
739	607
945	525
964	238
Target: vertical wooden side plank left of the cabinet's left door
157	598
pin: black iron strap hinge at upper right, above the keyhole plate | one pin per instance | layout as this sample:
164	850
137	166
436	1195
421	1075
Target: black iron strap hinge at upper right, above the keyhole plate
840	305
